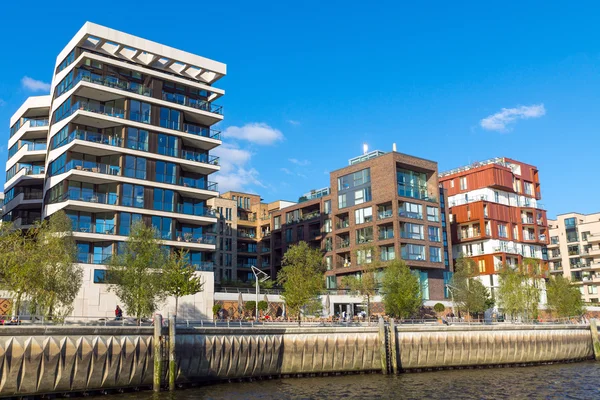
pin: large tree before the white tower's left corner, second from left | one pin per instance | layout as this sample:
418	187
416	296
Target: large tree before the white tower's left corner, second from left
58	278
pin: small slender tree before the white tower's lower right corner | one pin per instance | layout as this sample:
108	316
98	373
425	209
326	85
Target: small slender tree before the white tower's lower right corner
180	278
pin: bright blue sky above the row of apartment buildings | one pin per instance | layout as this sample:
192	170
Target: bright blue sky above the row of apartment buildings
308	83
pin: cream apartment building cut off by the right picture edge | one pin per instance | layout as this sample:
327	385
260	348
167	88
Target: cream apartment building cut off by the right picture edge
574	251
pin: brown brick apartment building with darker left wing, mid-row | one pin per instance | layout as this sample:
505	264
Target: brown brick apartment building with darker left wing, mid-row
388	200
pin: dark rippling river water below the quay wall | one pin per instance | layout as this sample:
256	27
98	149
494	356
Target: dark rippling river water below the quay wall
557	381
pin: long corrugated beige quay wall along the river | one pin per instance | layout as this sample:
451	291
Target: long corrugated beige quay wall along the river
42	360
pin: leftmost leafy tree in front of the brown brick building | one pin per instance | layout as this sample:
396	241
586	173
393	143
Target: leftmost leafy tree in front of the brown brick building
301	279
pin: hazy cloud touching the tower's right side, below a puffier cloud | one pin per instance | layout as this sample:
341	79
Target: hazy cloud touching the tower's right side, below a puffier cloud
235	173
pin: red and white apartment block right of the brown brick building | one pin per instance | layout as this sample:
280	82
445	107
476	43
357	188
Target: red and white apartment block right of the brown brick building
496	215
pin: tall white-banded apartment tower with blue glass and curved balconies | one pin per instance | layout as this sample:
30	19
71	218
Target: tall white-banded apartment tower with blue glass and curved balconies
125	135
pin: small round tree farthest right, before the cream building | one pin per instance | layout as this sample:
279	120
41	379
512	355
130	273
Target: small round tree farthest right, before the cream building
564	299
